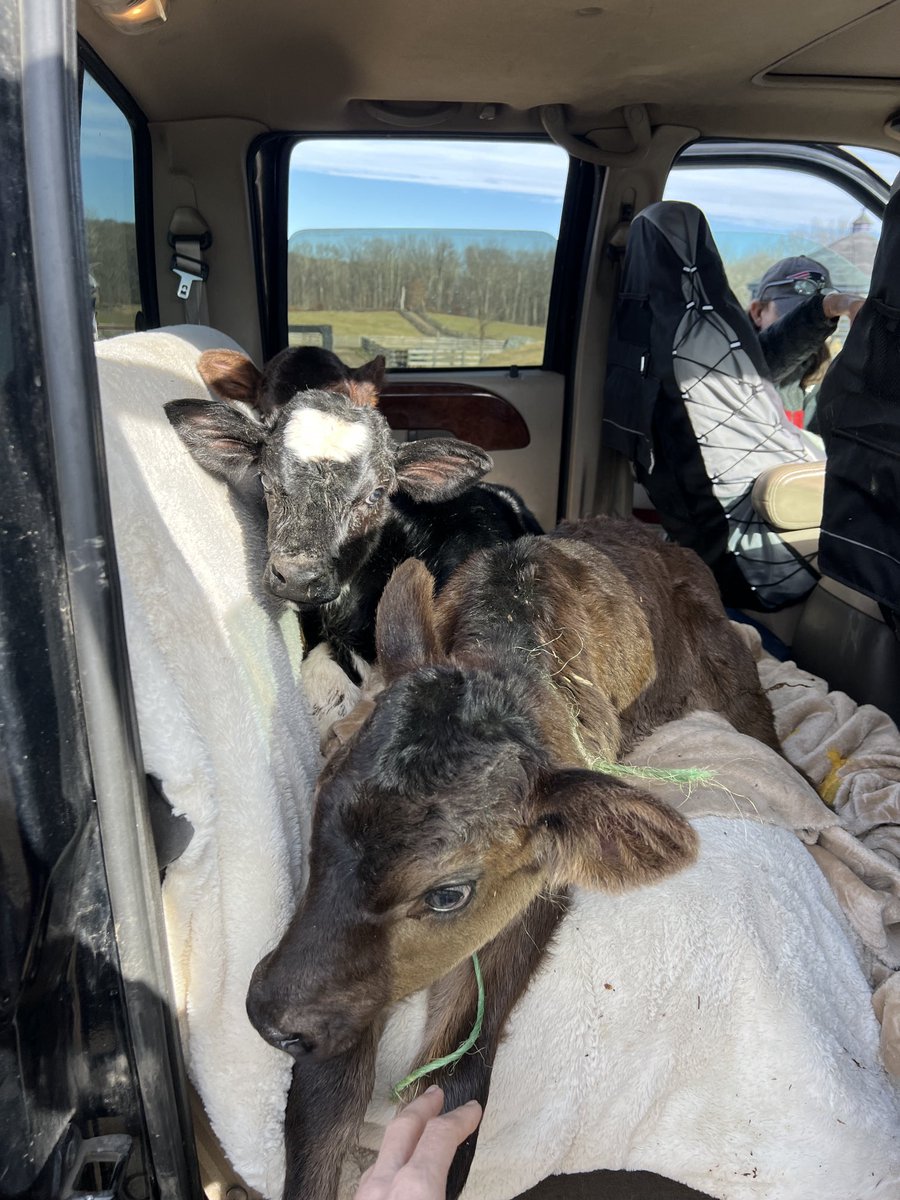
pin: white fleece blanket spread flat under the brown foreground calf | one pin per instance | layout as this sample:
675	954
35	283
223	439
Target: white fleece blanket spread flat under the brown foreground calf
716	1029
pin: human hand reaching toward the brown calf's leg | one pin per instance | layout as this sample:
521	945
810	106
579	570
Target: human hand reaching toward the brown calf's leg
418	1149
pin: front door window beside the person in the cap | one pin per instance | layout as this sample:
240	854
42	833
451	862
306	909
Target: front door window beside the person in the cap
760	215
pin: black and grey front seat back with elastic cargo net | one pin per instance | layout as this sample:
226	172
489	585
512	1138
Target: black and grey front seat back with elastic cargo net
689	405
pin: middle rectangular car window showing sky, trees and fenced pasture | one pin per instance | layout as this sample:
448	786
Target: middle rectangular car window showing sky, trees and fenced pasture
436	254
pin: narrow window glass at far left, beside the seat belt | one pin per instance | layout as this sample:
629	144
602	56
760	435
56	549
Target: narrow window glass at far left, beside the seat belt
107	157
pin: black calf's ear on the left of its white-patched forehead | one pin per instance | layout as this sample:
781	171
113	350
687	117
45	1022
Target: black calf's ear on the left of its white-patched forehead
223	440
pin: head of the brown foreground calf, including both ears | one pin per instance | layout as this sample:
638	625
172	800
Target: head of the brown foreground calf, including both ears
435	829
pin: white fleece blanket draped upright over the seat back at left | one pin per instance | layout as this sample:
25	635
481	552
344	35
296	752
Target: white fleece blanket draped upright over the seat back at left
224	727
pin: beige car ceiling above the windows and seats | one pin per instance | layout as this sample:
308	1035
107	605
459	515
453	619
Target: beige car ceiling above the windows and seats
760	69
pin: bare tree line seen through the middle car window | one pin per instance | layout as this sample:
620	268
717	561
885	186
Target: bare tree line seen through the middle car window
488	283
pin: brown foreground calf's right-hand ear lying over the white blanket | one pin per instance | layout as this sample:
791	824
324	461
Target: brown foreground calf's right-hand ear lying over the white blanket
603	835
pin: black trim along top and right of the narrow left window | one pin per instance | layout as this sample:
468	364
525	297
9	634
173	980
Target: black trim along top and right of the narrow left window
100	73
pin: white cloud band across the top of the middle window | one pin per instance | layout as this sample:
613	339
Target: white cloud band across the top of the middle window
526	169
